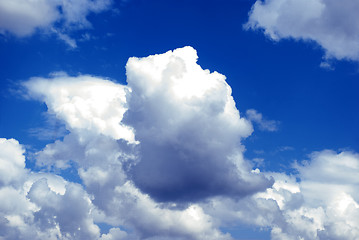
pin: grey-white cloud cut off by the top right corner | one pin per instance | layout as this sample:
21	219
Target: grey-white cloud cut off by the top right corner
331	24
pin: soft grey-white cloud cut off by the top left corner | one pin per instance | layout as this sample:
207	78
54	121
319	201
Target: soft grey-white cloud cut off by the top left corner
24	17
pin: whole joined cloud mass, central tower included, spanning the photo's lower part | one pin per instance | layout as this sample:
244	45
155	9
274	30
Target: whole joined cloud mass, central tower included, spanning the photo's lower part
161	158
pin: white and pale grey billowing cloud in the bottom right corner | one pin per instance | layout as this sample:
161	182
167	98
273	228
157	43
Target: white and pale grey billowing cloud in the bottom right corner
322	205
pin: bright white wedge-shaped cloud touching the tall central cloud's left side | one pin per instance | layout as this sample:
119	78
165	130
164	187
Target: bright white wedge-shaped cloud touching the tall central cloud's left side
84	103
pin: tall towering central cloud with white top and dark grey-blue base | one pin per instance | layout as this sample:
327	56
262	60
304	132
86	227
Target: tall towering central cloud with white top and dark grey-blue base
189	129
